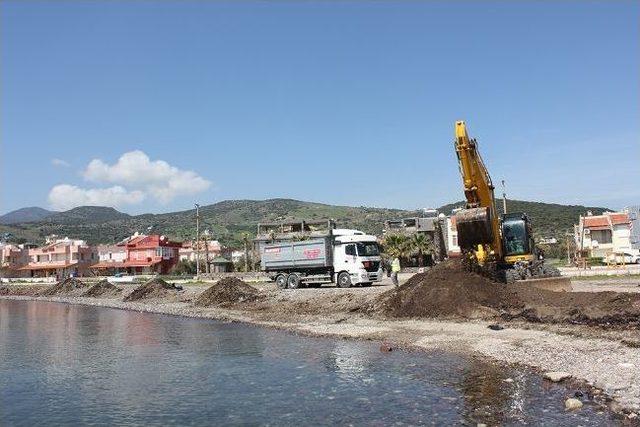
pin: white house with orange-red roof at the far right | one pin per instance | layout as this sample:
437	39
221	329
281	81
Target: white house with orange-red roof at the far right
600	235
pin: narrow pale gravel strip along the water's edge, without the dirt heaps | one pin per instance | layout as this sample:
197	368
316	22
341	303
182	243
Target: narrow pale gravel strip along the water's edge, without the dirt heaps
604	364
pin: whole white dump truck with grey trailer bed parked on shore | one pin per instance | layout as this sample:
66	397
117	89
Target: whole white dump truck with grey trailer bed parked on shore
341	256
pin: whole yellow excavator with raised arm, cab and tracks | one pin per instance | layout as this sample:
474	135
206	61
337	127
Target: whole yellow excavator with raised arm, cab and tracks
500	246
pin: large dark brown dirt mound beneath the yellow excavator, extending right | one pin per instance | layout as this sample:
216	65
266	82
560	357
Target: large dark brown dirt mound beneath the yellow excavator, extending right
450	291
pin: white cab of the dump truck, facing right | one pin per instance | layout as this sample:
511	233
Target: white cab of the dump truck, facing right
356	258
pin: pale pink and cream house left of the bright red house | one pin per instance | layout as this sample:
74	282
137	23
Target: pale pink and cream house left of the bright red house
59	258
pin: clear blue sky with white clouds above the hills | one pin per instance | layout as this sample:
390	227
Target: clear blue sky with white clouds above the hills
152	106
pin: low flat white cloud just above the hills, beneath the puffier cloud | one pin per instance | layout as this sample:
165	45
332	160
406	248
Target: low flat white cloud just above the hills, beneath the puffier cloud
64	196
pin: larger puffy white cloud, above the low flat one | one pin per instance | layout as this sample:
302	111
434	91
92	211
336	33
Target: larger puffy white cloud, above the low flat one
156	178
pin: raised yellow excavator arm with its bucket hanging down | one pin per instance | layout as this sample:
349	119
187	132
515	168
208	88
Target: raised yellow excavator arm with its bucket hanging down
478	224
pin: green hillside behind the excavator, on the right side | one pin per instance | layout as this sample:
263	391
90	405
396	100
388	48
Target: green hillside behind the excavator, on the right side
547	219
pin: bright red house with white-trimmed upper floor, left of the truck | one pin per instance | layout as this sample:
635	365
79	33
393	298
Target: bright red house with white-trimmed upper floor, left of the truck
150	254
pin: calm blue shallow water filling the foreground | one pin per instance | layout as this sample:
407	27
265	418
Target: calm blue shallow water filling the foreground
76	365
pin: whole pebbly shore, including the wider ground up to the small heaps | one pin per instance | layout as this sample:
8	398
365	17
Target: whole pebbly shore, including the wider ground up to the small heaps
607	359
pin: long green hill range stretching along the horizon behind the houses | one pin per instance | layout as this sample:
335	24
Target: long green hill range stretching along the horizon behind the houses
228	220
